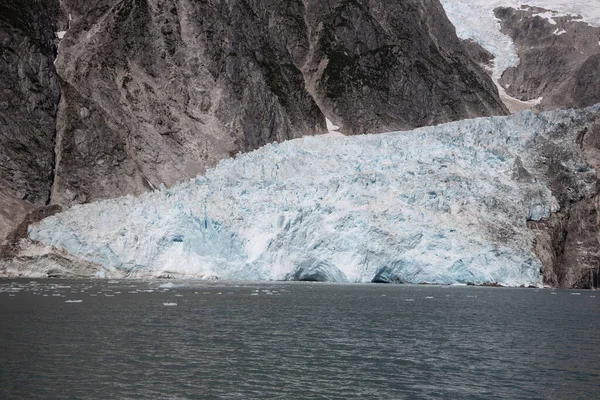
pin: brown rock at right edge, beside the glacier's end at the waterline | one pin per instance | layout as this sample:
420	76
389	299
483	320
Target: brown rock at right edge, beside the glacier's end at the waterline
568	243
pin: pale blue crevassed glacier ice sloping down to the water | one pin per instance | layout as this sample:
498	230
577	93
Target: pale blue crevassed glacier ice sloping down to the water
445	204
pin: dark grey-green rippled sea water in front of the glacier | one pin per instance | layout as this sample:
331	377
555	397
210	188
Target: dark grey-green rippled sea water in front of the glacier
295	341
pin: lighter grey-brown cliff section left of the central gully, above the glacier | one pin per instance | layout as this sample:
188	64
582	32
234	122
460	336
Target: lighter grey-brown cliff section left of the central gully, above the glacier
158	91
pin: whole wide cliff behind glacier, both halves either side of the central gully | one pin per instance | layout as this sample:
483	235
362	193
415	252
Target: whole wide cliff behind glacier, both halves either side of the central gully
156	91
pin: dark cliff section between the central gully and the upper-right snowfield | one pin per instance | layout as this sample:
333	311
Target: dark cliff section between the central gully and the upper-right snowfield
387	65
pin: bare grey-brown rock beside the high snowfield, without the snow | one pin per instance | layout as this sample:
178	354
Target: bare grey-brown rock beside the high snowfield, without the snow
559	62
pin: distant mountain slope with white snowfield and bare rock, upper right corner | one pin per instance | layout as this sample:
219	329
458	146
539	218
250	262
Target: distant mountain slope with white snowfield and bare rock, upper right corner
545	52
